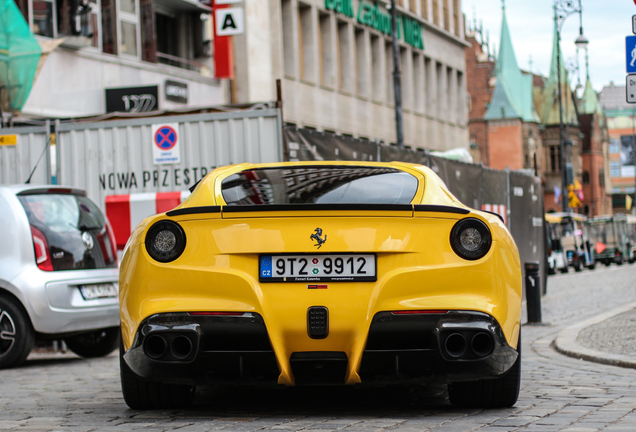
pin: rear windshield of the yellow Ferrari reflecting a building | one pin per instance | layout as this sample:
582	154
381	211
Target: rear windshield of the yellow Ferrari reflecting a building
320	185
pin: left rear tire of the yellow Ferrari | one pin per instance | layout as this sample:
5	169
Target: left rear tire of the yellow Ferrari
142	395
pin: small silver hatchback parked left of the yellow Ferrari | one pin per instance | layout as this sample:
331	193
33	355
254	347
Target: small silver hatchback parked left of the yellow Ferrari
58	273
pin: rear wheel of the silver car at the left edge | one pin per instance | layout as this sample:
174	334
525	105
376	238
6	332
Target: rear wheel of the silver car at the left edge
16	333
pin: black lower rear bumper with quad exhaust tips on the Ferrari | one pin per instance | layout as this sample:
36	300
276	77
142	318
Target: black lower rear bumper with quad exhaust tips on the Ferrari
428	347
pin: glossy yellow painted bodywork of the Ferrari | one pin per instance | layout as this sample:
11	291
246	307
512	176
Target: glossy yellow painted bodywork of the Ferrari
416	266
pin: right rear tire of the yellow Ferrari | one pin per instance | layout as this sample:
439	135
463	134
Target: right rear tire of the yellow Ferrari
501	392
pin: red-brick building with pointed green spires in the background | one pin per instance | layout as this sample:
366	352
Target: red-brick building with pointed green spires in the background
515	123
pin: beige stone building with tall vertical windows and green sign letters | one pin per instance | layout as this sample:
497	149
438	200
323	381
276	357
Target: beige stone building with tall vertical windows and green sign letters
335	59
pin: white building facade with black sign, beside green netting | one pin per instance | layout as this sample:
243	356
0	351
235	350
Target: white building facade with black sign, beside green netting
155	55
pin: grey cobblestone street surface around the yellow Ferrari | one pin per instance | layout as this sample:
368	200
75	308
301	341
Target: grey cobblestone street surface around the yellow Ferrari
63	392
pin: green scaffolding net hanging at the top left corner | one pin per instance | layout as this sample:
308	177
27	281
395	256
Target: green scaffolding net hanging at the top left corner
19	55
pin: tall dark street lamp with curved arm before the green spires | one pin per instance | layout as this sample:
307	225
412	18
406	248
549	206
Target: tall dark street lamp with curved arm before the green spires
562	10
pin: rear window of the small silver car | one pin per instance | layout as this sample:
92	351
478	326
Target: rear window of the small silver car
74	228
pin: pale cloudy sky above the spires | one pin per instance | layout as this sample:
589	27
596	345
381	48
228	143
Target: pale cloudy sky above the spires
531	24
